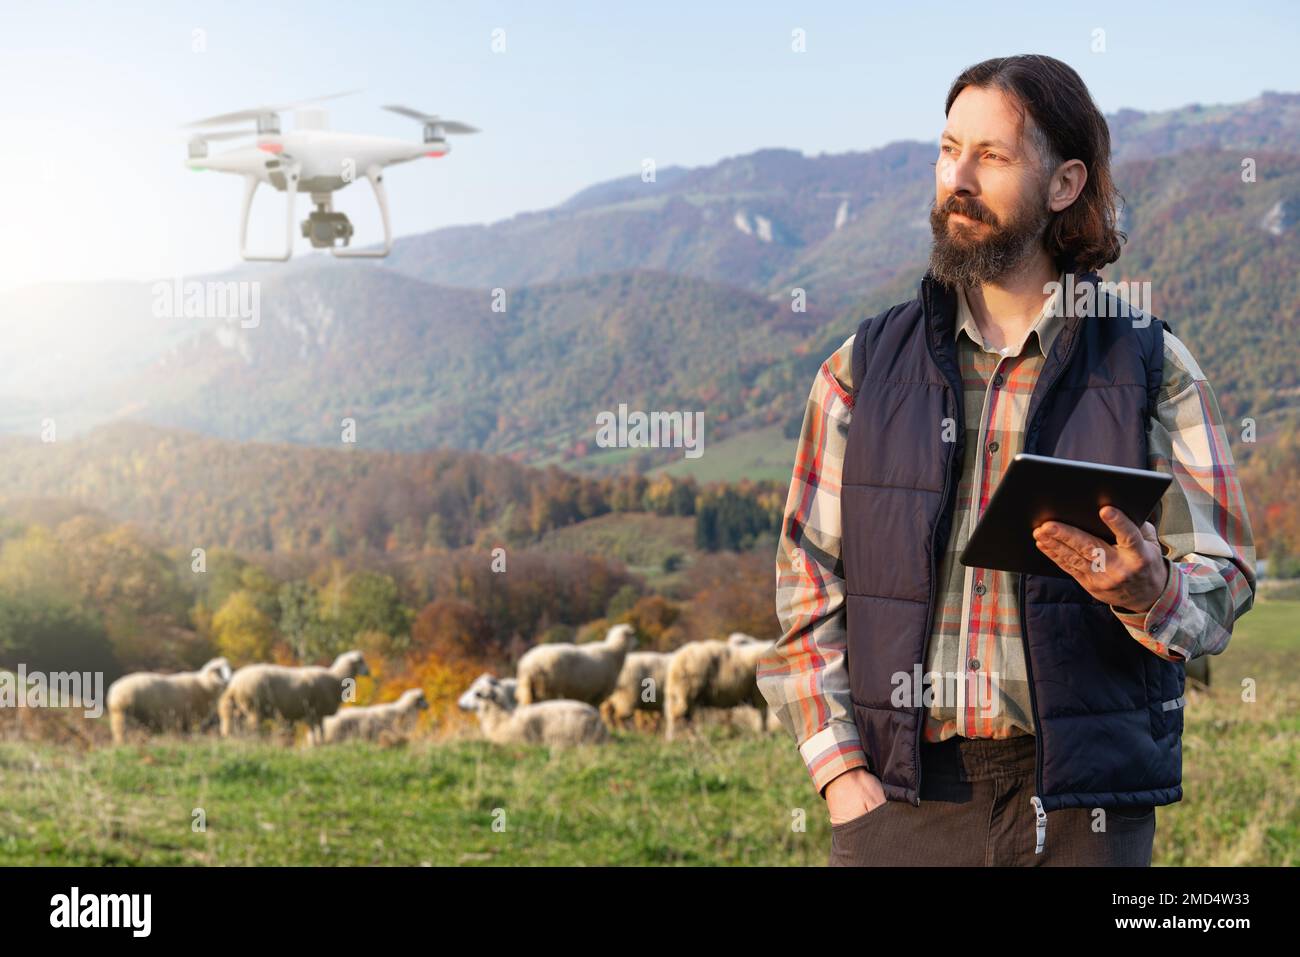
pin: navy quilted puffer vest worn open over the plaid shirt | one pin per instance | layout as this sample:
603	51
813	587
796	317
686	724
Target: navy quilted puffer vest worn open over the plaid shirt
1108	713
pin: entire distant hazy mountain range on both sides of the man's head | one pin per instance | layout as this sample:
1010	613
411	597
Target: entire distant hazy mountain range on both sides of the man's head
677	295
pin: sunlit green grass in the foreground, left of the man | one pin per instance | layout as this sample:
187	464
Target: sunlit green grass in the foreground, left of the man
722	800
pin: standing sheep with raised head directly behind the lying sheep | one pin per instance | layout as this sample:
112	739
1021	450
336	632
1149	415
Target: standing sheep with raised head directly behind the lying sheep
579	673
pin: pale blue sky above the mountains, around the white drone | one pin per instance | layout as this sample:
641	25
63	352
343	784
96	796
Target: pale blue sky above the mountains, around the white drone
93	98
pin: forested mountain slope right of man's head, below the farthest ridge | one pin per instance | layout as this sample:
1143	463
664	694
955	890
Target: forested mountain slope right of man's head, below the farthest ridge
1223	257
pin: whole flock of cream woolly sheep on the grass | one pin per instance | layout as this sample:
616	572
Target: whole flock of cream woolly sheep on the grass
564	694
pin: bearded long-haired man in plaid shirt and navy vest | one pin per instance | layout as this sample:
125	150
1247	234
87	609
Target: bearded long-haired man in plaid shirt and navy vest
1042	700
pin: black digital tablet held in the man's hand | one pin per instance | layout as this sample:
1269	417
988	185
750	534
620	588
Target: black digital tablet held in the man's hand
1037	490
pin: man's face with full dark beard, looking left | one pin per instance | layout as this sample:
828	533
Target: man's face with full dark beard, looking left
990	192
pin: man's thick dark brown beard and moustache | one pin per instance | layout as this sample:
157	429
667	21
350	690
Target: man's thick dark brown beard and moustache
974	256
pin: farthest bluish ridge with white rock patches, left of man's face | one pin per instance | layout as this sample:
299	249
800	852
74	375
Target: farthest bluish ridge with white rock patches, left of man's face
766	222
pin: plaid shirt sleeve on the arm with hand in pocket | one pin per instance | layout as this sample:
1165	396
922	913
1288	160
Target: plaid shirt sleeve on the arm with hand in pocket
804	674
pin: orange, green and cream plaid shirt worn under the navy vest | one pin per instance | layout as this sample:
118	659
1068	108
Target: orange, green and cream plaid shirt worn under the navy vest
1203	527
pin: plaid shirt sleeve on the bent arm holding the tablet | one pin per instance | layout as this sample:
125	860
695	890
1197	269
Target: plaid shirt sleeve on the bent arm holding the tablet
1203	522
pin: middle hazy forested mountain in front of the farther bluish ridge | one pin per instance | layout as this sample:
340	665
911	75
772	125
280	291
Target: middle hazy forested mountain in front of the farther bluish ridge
418	366
